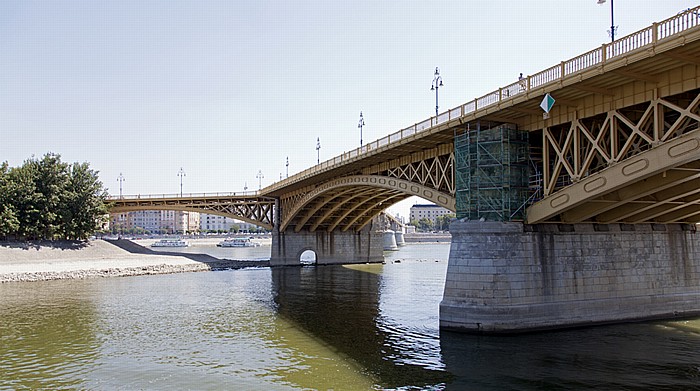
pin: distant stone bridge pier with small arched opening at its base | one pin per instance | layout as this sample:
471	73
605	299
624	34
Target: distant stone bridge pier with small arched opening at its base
330	247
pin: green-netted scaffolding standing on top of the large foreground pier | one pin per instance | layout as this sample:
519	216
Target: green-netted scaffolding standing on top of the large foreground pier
492	173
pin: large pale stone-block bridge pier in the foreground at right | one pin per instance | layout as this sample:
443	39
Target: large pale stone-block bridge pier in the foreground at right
510	277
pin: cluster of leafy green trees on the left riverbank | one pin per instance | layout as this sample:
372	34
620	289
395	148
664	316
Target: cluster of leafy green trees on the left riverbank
49	199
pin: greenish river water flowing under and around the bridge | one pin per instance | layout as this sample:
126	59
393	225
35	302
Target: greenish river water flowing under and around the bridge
357	327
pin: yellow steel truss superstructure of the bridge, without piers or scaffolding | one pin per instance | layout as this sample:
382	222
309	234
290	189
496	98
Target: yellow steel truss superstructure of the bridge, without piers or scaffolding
621	144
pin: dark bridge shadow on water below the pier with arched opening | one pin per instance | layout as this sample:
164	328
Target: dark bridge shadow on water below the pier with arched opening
340	306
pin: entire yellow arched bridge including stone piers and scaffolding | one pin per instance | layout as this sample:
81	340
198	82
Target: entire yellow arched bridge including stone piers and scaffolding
582	215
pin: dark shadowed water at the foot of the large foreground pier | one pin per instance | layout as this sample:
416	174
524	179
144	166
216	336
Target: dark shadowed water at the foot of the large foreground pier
658	356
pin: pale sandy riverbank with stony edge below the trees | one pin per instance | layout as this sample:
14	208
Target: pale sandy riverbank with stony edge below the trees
42	261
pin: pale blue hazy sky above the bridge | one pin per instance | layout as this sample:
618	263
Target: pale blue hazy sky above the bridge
226	90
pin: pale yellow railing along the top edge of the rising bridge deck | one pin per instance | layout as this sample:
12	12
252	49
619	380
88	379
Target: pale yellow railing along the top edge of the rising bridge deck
641	39
